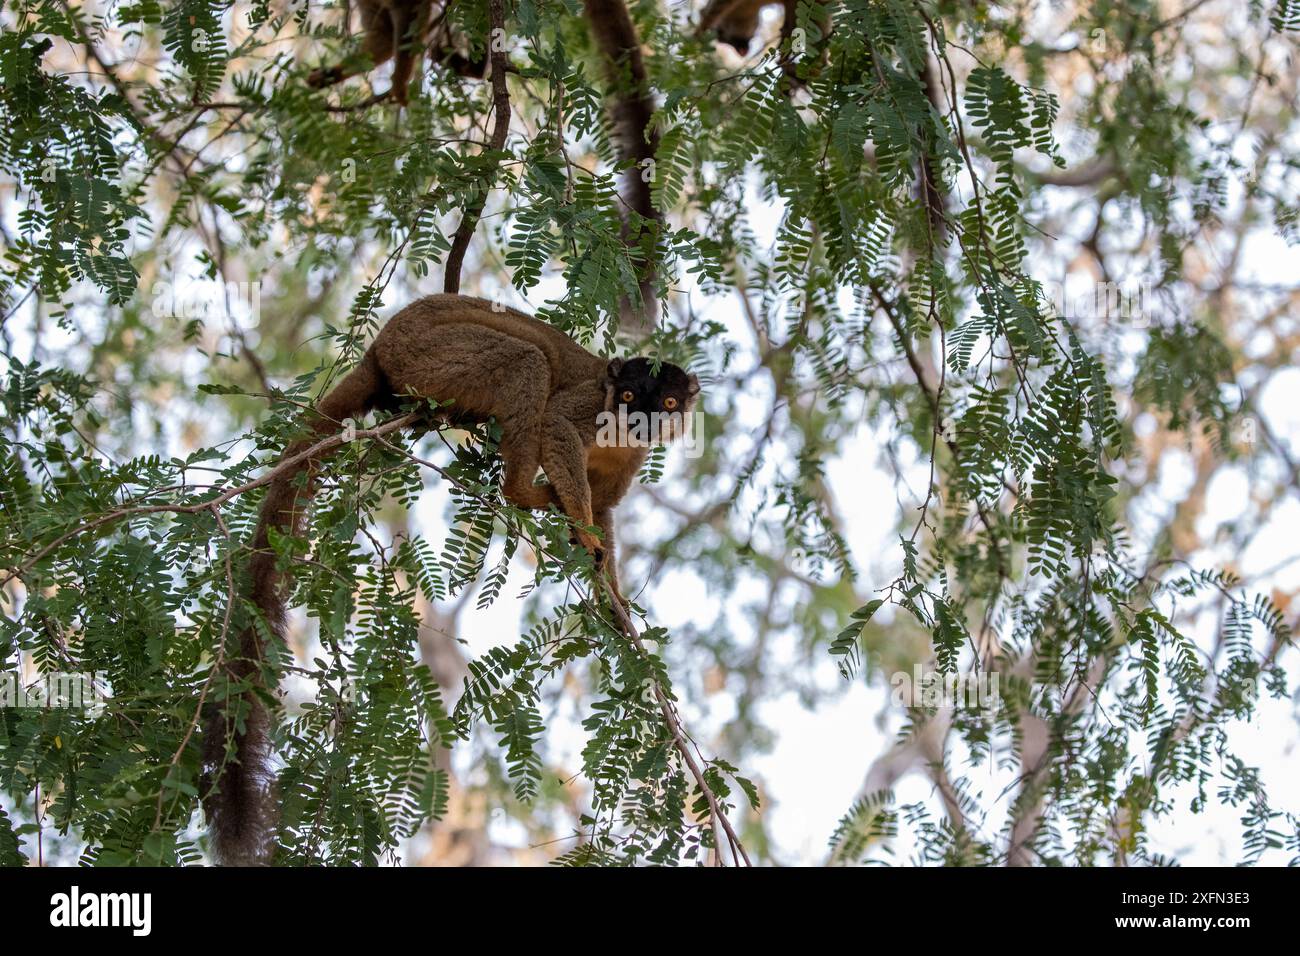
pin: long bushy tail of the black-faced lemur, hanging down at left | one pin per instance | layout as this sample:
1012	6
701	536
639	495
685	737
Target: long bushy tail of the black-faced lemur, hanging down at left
239	782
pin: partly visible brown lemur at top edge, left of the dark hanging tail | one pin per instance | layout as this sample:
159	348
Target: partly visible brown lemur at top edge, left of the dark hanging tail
402	29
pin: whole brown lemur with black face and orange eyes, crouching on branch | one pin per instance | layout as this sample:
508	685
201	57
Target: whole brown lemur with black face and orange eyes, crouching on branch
548	395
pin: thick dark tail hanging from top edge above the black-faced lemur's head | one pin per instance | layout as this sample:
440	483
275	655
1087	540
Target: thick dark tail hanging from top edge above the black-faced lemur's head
634	105
